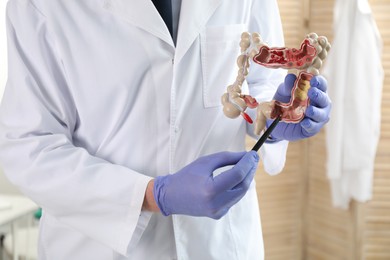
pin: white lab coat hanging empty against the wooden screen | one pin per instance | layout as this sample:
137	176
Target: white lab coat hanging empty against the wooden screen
355	78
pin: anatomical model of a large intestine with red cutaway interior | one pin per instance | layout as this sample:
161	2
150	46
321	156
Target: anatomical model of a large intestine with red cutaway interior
304	62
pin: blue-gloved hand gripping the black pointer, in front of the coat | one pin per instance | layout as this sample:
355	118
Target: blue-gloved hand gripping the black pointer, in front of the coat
194	191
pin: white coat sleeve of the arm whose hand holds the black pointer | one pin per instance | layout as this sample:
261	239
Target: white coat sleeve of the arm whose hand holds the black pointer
95	197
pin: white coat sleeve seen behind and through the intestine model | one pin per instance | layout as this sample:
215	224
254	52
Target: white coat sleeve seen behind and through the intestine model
263	82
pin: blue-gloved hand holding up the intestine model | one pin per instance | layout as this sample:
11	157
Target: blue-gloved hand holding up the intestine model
316	115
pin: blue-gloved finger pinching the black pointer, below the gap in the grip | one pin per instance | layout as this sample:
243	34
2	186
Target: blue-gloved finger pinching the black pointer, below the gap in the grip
238	174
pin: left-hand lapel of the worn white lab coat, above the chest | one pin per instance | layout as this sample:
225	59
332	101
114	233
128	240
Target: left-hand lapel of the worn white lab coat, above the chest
140	13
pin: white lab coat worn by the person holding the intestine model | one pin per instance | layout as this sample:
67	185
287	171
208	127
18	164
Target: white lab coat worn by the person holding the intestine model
99	101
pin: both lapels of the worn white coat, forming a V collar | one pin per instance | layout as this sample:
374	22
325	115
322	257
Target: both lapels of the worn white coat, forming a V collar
194	15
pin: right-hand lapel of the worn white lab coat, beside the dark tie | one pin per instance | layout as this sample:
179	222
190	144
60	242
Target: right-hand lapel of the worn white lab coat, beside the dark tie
194	15
